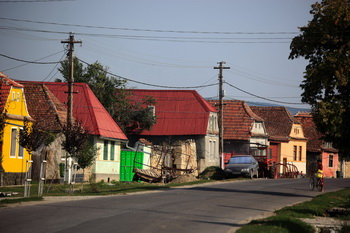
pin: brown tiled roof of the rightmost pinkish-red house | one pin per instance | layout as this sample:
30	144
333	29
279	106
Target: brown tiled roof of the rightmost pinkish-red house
315	142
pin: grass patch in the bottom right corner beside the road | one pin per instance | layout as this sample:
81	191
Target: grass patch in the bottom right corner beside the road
288	219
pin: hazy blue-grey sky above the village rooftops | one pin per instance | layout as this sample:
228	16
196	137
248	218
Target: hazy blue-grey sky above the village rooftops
163	44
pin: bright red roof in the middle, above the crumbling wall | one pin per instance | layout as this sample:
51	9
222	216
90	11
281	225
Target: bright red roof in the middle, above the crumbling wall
178	112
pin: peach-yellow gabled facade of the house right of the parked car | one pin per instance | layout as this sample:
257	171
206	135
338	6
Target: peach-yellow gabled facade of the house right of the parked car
294	152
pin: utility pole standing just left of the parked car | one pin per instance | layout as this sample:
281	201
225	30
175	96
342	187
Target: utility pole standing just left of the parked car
220	114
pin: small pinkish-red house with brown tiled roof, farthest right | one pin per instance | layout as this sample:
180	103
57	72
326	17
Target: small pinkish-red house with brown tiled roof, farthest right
318	148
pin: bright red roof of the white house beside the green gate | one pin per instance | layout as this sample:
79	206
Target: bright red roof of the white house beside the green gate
87	109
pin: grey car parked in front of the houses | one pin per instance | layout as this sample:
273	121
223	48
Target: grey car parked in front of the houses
242	165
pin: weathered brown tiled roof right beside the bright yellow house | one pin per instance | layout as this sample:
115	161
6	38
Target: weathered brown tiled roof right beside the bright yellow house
44	107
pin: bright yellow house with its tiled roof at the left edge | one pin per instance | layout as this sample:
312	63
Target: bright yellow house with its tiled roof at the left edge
13	110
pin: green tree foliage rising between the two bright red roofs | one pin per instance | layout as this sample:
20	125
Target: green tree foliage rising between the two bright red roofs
130	116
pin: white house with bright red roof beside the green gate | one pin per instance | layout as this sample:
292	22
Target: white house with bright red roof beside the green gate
106	134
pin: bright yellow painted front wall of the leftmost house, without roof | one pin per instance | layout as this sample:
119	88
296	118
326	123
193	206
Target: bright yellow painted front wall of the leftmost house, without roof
14	157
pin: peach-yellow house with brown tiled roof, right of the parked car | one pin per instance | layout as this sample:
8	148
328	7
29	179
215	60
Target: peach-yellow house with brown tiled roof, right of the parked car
286	138
